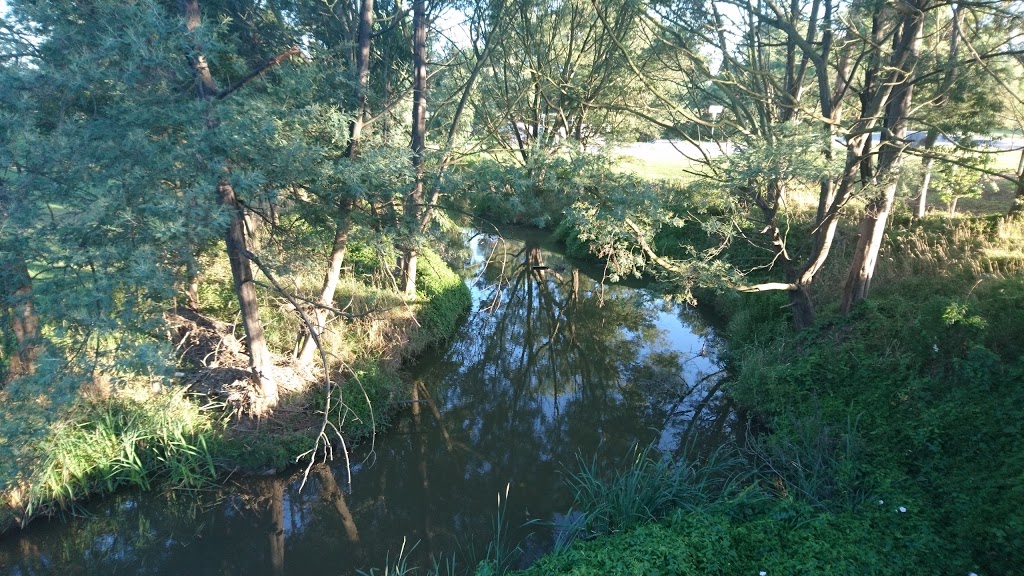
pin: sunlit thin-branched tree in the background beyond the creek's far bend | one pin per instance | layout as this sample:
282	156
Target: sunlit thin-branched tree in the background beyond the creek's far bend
559	75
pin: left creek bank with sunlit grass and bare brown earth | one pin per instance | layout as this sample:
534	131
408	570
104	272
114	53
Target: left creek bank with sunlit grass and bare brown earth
190	431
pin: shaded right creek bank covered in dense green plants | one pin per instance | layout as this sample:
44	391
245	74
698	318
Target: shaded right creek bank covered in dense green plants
893	435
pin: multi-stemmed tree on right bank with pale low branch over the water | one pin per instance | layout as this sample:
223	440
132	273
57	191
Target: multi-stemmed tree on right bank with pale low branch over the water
784	106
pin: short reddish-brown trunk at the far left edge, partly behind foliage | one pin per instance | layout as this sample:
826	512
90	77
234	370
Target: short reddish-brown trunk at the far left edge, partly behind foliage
24	321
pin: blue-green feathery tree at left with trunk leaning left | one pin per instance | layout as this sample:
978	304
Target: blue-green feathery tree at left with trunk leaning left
132	158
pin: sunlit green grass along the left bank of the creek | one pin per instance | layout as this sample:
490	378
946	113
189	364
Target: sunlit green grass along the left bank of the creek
60	443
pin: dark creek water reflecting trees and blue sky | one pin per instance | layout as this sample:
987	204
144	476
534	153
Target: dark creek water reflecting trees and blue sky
550	364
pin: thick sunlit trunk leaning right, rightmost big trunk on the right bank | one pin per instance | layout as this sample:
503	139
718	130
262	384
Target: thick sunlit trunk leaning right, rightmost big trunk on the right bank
873	224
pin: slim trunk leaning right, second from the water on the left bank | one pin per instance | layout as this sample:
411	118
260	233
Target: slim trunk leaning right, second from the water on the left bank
345	224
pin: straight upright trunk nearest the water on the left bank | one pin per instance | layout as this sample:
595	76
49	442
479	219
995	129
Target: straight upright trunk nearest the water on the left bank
414	200
